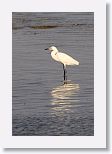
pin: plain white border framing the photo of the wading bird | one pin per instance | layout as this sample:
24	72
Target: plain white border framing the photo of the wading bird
99	138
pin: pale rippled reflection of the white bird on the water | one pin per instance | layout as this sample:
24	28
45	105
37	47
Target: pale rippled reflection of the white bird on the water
63	98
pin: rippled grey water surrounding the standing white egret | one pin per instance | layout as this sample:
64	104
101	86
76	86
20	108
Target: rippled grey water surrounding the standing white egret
41	103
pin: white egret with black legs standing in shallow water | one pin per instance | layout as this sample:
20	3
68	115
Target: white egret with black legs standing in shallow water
62	58
